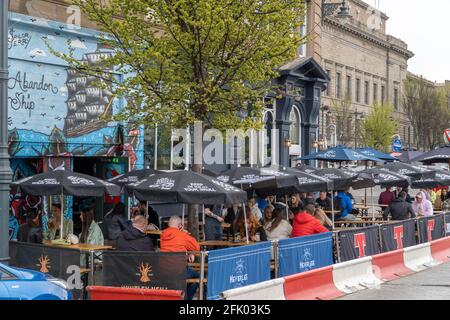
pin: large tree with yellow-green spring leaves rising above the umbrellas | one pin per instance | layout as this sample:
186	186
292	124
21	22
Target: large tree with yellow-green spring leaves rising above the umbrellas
193	60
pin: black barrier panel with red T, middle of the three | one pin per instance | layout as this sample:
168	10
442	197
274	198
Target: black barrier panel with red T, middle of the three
398	235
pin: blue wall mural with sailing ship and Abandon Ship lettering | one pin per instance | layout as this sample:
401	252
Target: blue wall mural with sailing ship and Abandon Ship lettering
55	111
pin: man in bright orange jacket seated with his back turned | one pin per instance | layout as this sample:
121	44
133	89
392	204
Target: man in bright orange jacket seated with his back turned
176	239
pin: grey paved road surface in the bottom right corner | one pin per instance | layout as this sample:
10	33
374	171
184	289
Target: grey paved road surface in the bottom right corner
432	284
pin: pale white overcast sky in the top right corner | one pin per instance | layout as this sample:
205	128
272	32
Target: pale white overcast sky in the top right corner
425	27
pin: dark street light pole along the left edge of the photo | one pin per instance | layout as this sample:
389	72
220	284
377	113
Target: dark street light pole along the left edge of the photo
5	169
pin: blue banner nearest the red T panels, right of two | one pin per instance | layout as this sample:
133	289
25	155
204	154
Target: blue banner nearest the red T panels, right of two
302	254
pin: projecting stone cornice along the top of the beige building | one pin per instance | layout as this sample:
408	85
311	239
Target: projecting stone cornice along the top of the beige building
363	34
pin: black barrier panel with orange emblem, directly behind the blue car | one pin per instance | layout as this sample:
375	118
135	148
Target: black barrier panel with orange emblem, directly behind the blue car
51	260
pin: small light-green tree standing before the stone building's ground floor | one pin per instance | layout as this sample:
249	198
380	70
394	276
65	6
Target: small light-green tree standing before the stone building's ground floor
378	128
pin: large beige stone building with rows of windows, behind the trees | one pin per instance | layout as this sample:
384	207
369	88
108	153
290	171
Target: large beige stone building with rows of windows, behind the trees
366	65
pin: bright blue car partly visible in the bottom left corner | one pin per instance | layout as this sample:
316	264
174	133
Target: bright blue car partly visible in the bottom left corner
21	284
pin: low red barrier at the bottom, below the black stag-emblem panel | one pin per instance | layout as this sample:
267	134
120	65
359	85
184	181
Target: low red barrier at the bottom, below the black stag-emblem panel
113	293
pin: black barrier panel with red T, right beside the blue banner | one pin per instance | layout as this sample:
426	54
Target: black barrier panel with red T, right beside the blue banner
358	243
